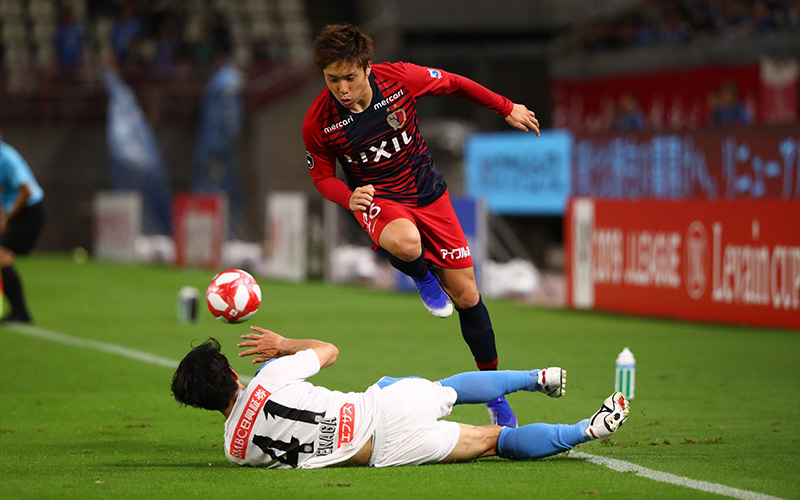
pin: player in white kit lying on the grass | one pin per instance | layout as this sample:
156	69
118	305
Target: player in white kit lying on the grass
279	420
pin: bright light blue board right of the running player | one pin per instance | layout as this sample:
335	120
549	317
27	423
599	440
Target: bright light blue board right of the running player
520	174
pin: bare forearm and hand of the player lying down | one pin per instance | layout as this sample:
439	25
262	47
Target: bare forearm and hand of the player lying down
266	345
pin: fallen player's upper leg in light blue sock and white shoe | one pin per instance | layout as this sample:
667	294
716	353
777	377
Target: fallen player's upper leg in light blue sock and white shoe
482	387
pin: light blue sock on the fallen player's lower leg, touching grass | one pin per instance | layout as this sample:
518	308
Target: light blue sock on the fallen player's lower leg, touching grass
540	440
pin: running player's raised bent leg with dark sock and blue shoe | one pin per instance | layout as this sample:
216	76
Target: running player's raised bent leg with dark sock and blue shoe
401	239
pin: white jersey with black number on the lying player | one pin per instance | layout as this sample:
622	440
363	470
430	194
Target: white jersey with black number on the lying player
281	421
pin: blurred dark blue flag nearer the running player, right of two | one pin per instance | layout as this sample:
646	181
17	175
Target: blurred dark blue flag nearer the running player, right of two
215	168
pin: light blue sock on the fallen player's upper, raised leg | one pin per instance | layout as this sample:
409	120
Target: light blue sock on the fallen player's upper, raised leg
480	387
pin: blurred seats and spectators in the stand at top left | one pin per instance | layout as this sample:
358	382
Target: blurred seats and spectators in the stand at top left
164	37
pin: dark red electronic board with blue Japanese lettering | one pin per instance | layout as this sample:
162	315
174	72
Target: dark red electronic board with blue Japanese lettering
713	163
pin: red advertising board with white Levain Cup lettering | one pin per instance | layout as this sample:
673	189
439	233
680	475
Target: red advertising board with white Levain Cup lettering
720	261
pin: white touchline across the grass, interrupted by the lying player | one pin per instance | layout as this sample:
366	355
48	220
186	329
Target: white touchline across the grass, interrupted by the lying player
611	463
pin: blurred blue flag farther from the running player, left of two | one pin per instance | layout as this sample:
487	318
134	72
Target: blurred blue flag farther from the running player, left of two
136	162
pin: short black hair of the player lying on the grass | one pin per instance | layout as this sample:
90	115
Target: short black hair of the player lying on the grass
204	379
